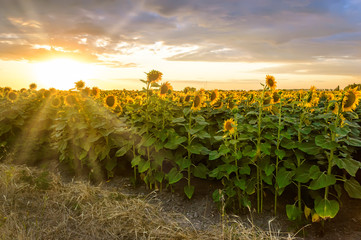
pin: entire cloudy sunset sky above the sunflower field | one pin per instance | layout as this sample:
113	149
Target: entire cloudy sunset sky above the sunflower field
209	44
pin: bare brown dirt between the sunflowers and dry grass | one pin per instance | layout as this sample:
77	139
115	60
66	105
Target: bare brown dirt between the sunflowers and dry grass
203	212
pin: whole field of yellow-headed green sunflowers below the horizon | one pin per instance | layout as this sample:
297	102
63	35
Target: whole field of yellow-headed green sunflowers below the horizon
255	143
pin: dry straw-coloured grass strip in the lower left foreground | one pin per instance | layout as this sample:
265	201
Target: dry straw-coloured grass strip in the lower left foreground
37	205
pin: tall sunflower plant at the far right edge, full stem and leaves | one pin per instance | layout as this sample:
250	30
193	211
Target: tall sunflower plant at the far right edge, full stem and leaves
337	142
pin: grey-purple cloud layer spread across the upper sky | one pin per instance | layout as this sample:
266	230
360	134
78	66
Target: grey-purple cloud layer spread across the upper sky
221	31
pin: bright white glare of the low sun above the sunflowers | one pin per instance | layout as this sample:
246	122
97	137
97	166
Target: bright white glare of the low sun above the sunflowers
62	73
